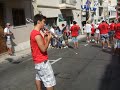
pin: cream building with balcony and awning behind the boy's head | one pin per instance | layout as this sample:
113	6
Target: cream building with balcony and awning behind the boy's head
59	11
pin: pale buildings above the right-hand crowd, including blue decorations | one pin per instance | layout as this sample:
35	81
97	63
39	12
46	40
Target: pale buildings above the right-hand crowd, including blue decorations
97	10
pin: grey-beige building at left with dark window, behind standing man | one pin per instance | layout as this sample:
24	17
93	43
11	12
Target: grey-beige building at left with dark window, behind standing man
16	12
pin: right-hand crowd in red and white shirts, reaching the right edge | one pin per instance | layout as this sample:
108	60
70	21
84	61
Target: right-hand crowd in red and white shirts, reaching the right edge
106	33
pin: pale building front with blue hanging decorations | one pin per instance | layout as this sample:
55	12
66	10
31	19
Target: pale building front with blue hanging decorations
89	9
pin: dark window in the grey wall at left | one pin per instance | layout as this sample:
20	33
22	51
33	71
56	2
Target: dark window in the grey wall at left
18	17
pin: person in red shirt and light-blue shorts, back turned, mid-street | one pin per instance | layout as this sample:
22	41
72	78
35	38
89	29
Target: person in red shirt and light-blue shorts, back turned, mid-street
75	32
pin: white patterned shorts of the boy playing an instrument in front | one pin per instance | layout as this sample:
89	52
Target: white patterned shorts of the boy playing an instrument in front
45	73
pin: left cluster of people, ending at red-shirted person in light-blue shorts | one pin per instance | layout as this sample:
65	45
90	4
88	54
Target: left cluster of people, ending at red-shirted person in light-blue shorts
64	34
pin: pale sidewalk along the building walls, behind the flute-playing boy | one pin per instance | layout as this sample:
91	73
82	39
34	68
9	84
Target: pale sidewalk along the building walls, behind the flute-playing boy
4	58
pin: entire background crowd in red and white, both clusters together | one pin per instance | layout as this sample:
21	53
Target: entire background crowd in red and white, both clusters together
107	34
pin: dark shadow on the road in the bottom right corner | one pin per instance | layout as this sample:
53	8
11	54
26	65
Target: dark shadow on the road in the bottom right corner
111	78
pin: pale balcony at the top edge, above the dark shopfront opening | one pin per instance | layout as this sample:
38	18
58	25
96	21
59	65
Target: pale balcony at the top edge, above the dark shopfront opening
67	4
